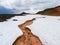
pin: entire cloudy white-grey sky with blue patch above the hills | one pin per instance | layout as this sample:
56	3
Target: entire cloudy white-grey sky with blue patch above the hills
17	6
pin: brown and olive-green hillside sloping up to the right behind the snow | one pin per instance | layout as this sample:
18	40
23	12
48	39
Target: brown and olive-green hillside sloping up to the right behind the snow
51	11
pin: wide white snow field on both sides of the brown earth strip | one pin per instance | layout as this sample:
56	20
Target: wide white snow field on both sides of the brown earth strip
47	29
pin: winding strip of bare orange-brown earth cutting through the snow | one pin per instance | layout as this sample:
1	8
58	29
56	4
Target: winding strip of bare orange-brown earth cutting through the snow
28	38
